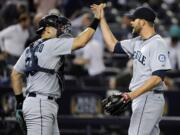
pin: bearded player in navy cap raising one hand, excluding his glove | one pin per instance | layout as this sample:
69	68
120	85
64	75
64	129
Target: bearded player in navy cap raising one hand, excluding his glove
150	62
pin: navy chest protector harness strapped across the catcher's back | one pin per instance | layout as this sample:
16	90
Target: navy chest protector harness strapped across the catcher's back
32	66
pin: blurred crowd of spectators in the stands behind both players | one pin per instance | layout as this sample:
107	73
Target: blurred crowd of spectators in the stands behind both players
92	65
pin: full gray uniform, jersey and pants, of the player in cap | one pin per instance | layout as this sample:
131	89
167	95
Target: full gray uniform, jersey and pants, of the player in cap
150	56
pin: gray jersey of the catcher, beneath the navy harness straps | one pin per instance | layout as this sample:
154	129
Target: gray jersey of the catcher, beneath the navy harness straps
48	57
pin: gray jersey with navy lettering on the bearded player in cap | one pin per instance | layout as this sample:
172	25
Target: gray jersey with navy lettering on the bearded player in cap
148	56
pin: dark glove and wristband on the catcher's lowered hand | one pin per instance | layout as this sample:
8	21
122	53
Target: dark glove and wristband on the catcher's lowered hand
20	118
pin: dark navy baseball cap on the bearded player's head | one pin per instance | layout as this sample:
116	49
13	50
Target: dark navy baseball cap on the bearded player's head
146	13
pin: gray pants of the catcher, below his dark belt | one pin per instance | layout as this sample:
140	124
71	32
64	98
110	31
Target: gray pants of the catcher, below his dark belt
40	115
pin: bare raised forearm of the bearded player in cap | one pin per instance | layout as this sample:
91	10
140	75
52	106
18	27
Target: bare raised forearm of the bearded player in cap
108	36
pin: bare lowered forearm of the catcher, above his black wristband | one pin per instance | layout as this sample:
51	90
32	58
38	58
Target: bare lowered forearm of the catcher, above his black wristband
17	82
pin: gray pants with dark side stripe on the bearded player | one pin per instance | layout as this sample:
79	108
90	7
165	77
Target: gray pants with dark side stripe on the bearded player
147	112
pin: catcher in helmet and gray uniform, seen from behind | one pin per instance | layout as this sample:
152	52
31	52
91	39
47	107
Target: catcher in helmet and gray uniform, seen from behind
42	63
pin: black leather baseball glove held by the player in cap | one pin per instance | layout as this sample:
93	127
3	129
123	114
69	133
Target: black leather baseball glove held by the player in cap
116	104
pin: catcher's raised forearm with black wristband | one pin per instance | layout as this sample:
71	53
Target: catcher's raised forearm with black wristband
82	39
